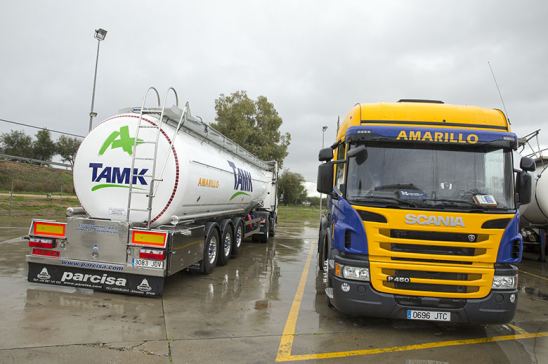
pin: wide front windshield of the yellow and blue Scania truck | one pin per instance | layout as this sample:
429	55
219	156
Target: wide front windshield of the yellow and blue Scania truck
433	178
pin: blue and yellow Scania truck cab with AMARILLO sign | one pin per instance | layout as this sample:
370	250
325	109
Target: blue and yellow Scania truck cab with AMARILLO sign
422	219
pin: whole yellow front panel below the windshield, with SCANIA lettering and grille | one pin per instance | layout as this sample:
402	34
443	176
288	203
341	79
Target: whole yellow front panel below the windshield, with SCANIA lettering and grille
432	262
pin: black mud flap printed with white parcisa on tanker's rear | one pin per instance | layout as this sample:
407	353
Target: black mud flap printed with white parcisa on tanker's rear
112	282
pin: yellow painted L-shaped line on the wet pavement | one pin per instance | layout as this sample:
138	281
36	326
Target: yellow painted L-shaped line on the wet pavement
289	333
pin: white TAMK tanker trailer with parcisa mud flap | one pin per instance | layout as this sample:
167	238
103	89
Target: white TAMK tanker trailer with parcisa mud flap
160	191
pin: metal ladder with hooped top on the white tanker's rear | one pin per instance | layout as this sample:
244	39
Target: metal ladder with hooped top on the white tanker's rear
150	158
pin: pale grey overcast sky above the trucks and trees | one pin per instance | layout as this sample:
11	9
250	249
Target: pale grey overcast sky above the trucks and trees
312	59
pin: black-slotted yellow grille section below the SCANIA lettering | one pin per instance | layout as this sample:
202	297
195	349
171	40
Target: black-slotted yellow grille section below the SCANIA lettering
437	264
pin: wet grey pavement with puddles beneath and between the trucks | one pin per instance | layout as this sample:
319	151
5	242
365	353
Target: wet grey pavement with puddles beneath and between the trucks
239	313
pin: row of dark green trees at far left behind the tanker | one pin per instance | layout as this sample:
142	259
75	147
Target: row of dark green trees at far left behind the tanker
42	147
